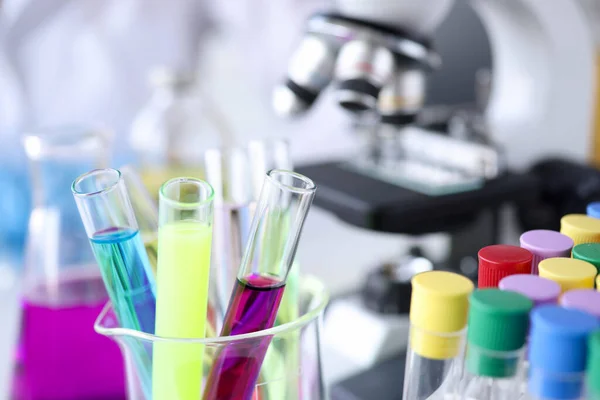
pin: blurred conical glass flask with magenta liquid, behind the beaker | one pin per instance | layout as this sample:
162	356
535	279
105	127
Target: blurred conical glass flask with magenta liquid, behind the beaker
62	357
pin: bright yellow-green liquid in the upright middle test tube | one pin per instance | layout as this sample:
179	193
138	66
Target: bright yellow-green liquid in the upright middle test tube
181	304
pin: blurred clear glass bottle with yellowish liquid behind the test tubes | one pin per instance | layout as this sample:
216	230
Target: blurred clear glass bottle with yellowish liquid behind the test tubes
174	128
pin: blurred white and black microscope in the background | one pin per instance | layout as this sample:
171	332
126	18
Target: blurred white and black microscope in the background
373	58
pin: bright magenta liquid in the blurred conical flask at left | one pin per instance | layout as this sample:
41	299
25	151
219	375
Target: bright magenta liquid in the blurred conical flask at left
63	357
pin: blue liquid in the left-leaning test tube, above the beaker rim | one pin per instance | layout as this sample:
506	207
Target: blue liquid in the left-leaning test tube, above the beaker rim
128	277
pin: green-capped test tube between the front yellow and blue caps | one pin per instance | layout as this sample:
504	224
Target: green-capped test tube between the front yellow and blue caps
497	331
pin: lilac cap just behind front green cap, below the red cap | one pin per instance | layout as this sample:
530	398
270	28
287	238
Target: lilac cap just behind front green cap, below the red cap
537	289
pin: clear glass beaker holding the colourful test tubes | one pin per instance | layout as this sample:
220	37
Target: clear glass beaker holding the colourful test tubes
275	382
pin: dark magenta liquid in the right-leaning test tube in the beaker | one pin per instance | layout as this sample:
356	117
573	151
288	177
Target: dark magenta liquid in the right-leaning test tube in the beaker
253	307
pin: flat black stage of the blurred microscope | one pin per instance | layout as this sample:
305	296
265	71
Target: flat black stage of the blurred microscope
373	204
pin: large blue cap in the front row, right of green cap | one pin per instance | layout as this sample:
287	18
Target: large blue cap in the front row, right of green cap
558	351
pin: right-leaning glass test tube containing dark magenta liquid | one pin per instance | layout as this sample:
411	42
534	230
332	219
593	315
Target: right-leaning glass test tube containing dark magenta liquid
280	213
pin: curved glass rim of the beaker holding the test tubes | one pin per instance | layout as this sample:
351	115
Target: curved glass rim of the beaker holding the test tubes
308	284
